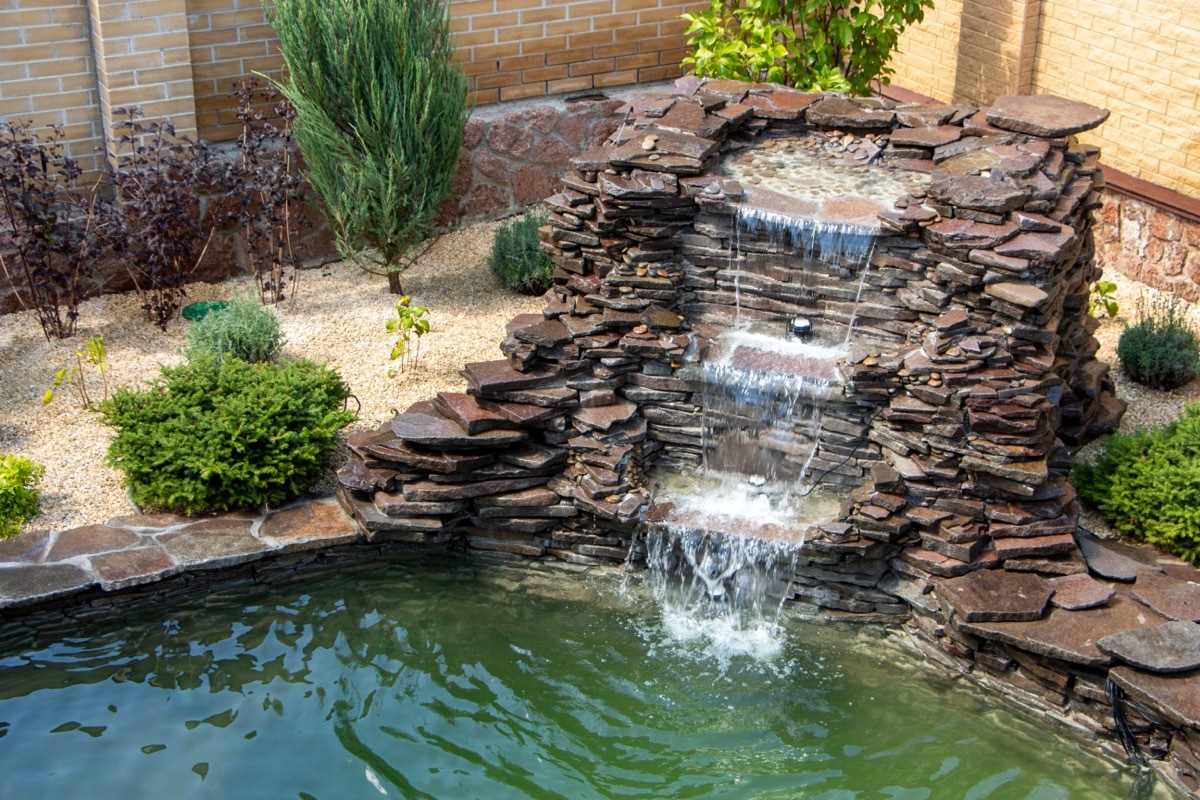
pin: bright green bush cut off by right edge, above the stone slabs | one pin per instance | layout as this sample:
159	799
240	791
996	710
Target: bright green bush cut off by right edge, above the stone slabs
1148	485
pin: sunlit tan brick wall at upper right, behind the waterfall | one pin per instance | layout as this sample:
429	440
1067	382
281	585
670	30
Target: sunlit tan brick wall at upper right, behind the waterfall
1138	58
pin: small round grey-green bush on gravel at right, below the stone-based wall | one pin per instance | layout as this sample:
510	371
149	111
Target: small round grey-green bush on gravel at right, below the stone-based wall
1162	350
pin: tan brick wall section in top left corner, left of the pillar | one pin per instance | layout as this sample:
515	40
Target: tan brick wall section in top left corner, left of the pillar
47	74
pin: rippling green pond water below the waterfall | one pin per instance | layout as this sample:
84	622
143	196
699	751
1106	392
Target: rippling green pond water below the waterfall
447	678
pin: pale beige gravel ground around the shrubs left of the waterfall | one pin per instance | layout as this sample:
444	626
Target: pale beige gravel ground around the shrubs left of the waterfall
338	316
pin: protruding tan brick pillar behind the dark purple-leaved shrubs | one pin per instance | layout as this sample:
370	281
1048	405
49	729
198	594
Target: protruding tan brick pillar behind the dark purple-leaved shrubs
143	59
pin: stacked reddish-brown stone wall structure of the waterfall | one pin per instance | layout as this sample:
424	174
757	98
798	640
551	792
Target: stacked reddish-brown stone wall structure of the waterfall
953	428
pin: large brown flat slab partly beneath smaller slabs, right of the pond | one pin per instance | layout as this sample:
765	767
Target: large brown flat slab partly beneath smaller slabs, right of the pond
1071	636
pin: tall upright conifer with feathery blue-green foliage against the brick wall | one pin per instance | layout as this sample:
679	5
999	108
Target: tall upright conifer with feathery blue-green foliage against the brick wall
381	107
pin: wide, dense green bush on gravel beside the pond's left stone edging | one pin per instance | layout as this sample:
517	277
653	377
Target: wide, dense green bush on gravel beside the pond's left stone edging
209	437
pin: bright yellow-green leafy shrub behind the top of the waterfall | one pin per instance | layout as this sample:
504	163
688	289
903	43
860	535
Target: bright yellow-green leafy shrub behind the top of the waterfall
813	45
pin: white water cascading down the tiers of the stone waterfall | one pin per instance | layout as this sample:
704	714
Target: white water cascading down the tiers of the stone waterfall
723	562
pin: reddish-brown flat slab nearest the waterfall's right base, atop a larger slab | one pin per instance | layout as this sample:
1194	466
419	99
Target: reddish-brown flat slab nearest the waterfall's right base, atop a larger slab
997	597
